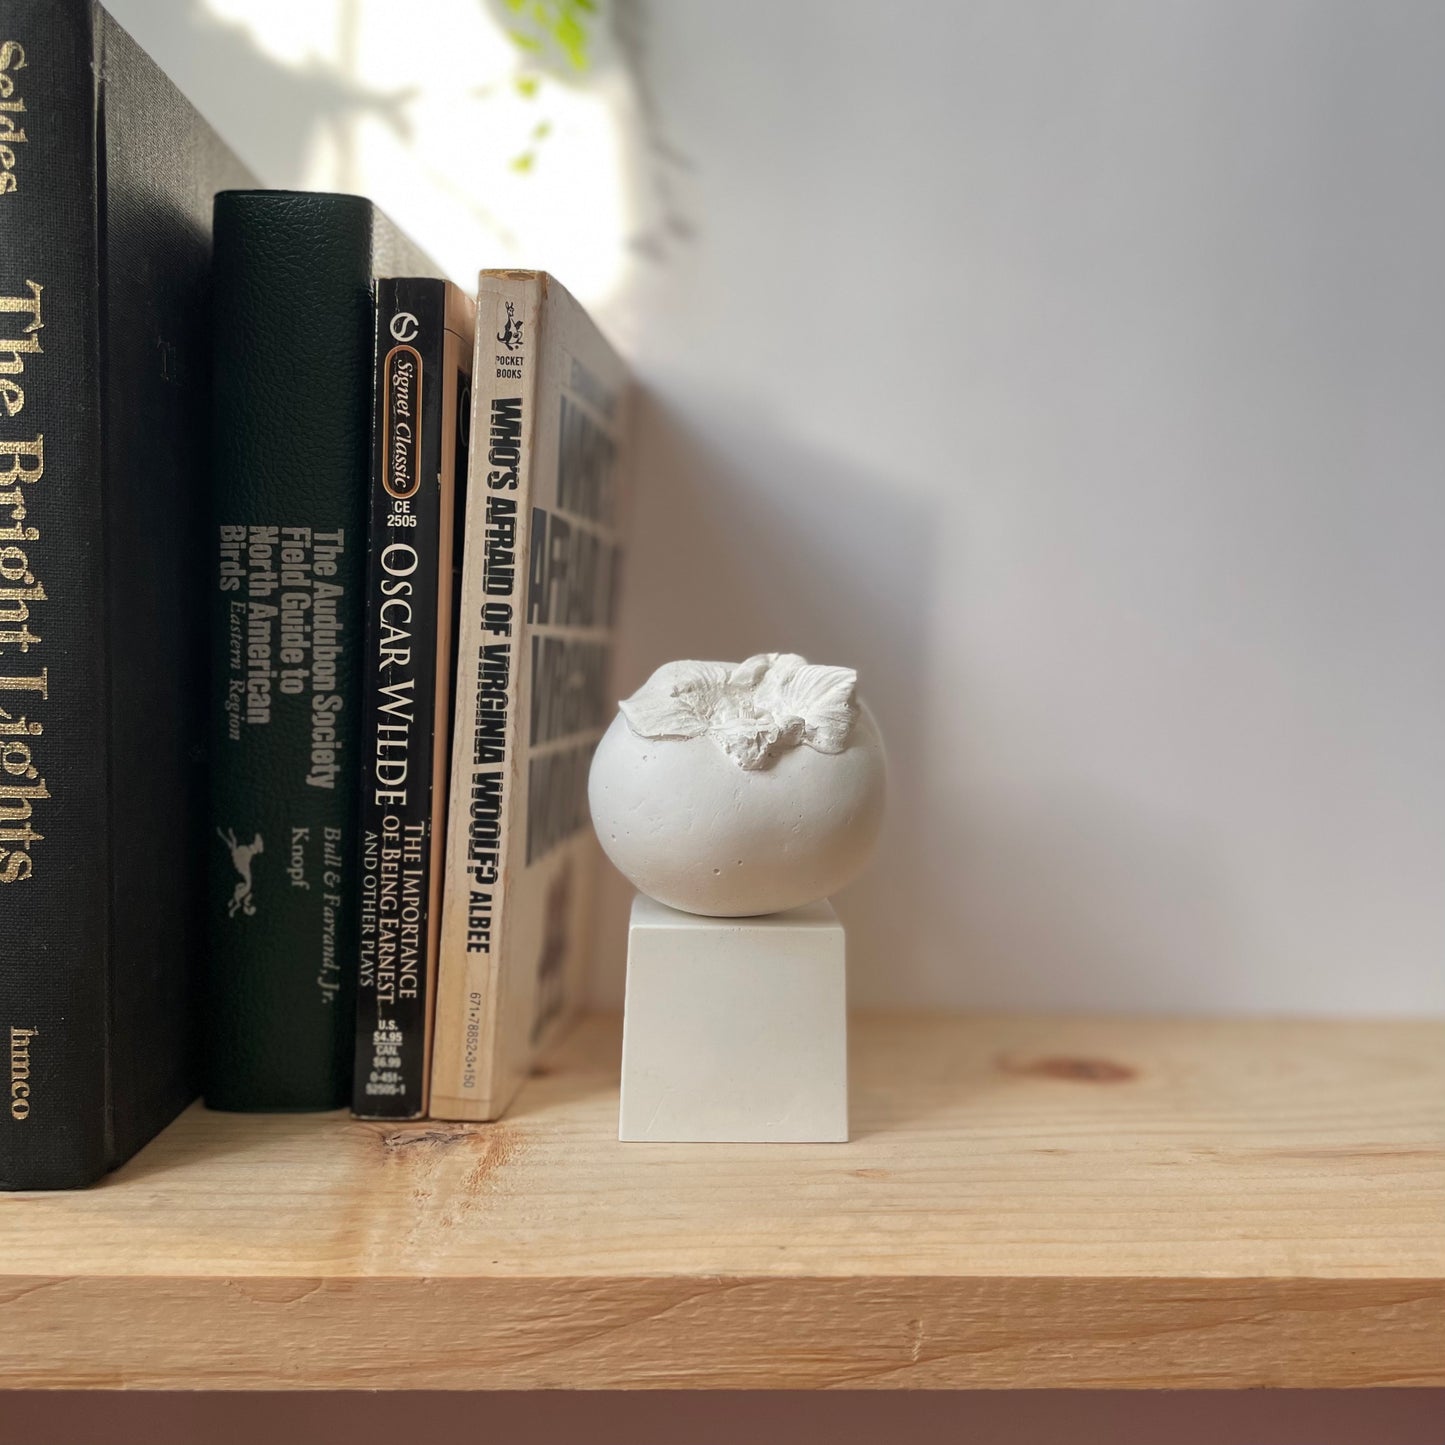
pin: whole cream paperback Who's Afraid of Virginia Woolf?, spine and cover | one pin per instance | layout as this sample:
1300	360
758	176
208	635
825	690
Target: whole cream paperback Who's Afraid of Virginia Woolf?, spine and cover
545	509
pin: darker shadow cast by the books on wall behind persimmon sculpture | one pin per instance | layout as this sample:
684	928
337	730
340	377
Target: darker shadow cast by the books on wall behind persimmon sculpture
793	553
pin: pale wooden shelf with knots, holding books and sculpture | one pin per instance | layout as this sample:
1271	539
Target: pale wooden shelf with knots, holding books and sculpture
1027	1203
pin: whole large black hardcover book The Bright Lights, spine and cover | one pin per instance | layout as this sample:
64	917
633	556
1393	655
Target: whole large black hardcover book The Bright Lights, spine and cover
106	186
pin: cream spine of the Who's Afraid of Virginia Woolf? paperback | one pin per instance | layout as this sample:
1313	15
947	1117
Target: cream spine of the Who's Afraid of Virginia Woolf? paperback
488	719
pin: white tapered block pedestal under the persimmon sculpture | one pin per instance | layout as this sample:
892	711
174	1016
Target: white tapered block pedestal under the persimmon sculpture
736	1028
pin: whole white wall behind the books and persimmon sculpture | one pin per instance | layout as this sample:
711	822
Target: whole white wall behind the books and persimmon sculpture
1077	371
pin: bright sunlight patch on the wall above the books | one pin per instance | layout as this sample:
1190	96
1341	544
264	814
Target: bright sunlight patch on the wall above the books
437	116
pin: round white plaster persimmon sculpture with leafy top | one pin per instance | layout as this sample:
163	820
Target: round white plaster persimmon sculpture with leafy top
735	790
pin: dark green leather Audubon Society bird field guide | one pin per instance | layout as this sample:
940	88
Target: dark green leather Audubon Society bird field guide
291	440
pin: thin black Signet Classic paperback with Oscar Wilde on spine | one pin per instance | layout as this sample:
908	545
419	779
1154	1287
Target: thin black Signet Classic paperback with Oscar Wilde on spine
424	340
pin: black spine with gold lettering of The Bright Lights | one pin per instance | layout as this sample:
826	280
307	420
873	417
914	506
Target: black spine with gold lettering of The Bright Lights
56	1129
